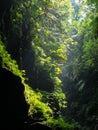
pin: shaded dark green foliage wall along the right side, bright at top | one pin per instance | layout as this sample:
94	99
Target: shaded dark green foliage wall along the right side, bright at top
80	73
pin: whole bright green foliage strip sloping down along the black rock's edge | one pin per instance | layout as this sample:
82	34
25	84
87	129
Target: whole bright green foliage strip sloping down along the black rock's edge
33	98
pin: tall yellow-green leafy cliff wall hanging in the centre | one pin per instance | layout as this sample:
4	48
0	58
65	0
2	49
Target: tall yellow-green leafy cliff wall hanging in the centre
38	24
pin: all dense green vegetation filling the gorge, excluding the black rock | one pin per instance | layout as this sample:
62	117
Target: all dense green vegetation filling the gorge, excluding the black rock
53	47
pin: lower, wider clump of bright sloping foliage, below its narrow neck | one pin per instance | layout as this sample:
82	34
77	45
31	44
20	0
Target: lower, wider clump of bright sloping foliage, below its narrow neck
34	99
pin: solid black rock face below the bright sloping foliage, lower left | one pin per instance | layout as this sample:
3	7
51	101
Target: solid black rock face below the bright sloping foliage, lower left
14	109
